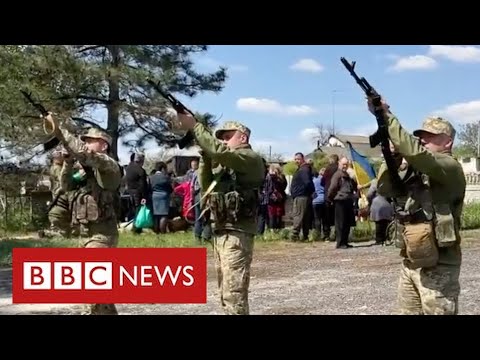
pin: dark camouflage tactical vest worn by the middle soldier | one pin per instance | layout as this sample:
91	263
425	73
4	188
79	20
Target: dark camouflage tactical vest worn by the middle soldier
231	201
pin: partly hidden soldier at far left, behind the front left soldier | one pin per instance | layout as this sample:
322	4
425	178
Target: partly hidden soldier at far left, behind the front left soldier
59	214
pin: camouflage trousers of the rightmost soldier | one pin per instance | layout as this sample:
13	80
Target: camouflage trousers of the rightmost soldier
432	291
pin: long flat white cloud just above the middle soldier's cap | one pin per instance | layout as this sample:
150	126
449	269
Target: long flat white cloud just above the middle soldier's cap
270	106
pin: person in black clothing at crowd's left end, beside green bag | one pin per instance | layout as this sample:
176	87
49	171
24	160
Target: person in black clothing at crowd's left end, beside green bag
137	185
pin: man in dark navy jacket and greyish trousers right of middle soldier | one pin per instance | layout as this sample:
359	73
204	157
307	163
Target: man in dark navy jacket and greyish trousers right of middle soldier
301	190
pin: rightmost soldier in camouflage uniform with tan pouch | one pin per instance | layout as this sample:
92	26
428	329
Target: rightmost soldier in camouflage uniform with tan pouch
435	191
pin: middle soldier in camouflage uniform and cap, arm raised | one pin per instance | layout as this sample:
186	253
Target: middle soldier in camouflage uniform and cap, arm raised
230	192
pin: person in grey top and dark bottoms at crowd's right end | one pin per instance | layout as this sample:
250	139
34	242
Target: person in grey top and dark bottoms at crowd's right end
381	211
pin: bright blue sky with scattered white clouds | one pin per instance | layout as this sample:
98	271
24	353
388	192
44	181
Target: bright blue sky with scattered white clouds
284	92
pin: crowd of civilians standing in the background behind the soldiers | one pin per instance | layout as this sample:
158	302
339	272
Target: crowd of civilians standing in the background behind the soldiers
325	199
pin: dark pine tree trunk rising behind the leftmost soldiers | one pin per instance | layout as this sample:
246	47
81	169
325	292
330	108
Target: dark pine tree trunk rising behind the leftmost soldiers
113	106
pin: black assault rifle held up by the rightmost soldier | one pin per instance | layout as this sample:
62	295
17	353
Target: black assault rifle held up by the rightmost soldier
380	137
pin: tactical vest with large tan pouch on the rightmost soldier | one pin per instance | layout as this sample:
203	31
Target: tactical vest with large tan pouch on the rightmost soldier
426	225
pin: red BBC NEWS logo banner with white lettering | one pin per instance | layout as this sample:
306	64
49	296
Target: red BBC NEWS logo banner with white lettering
123	275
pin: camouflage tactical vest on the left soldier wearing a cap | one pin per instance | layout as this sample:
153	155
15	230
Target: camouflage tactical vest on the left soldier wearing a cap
91	203
